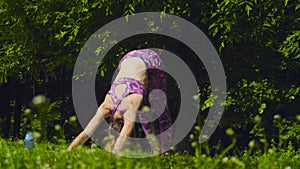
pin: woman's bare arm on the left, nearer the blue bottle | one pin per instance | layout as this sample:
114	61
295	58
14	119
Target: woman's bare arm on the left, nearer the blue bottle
90	128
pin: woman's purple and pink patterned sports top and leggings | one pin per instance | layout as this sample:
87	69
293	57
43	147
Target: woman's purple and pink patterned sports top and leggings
156	80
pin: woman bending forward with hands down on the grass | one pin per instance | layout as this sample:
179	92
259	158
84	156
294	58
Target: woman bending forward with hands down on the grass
139	73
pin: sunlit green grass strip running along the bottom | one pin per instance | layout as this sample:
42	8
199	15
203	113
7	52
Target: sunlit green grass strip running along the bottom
49	155
